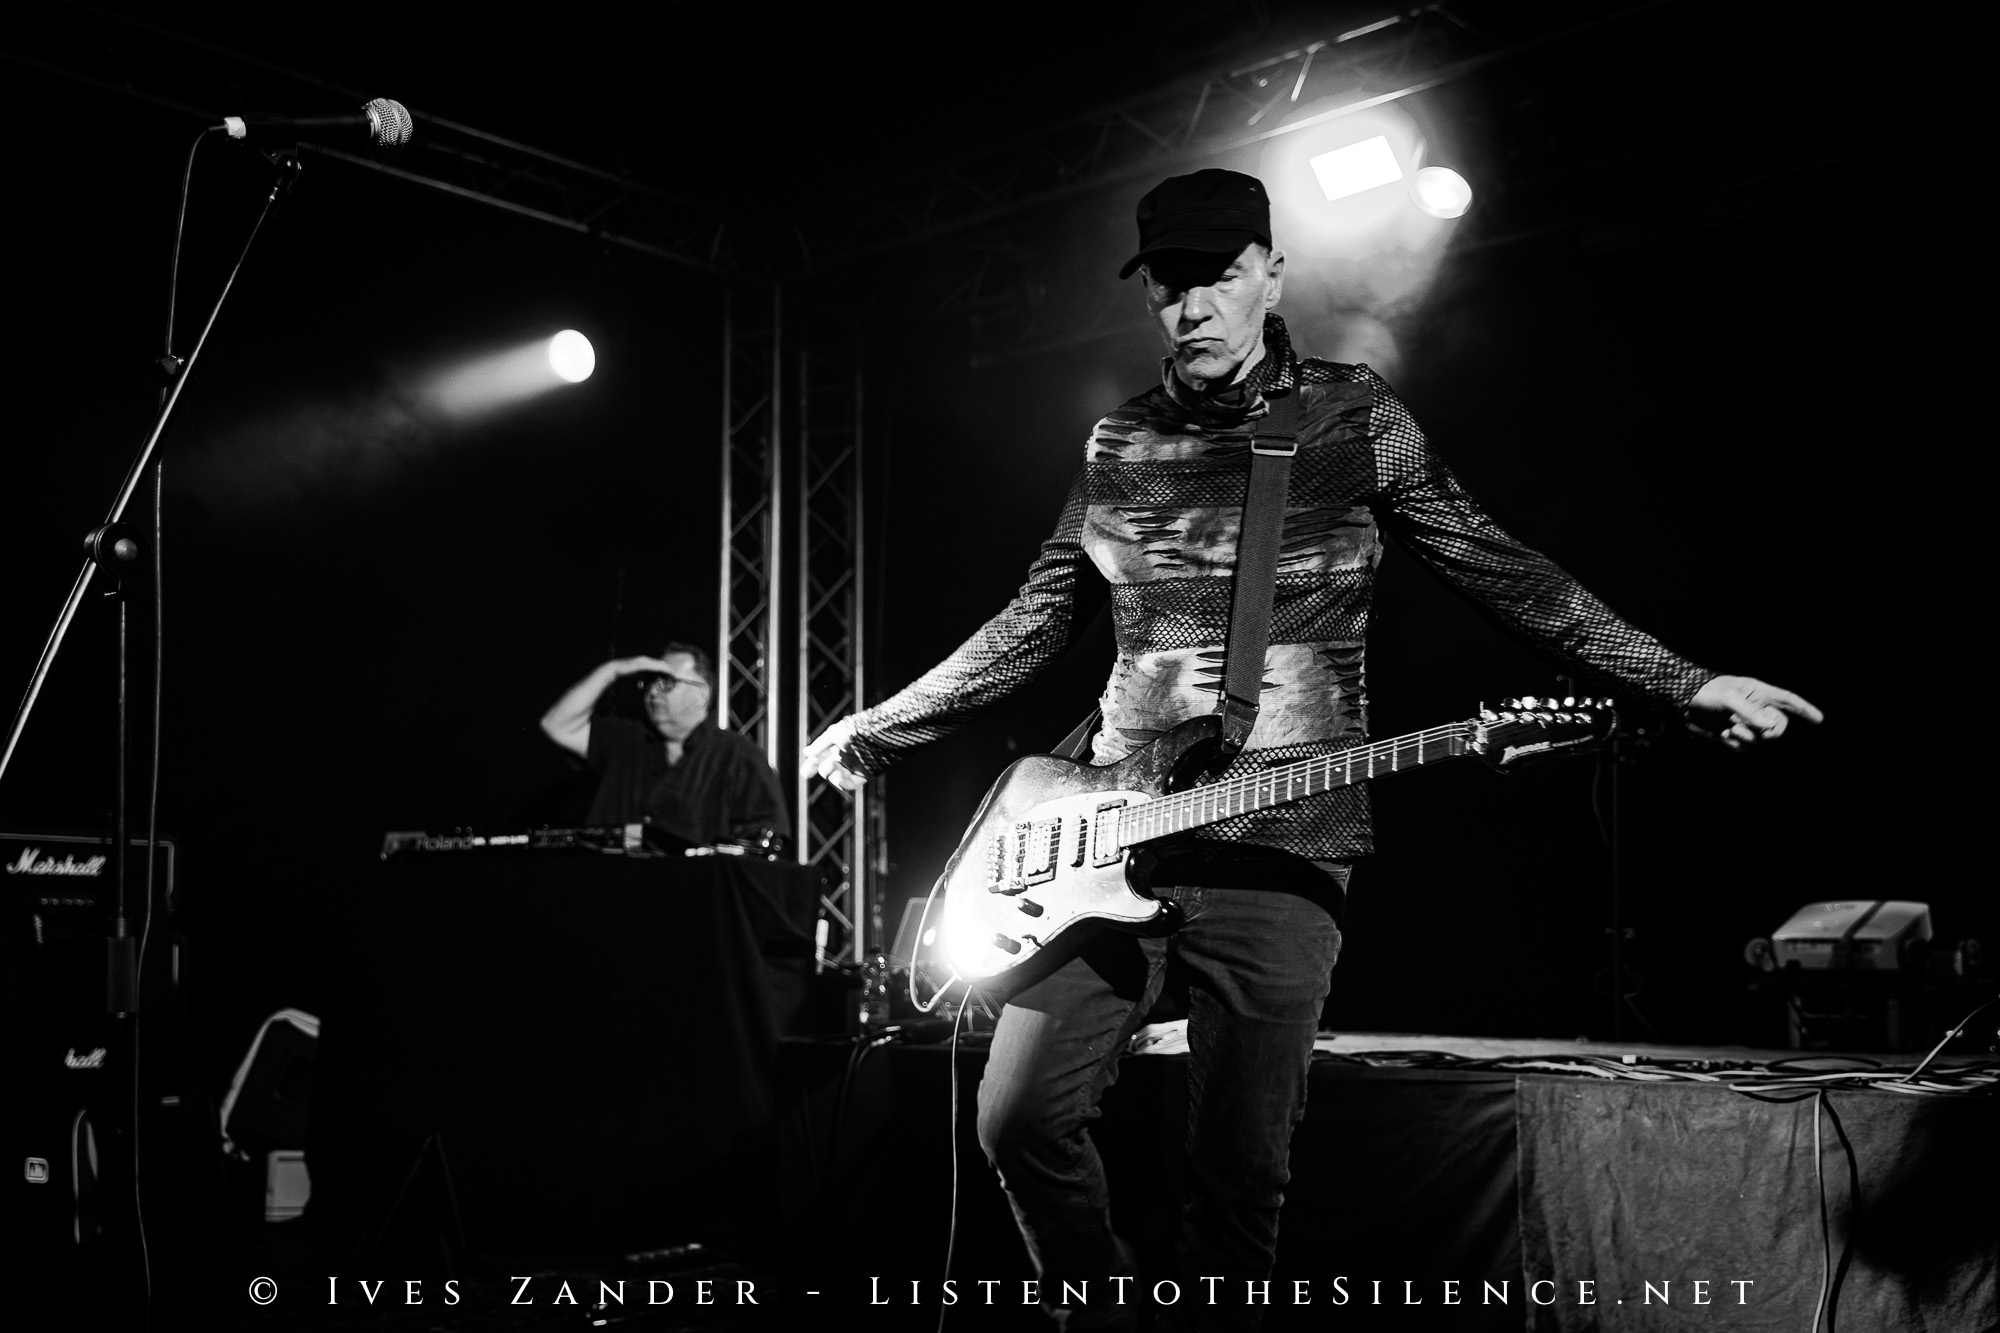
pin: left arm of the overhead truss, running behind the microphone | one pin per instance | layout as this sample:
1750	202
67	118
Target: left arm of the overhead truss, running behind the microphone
135	59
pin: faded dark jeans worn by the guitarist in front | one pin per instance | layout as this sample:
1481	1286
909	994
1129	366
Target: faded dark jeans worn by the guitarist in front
1257	964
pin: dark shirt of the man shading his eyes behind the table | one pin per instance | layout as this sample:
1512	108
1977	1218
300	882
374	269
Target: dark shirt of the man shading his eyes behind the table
721	788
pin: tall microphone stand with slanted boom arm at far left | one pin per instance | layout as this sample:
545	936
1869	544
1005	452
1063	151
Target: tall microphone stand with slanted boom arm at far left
115	549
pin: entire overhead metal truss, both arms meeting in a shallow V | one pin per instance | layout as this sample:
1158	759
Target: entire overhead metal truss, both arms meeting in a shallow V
1397	55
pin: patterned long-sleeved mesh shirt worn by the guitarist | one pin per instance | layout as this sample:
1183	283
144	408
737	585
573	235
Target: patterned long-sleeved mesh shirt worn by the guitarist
1157	511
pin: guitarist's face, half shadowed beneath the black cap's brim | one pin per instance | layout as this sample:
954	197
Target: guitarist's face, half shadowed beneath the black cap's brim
1211	309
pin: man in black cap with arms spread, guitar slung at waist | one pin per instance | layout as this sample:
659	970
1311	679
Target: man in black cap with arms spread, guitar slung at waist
1157	511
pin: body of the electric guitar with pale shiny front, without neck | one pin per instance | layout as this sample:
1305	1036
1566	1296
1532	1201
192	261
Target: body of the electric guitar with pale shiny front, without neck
1041	866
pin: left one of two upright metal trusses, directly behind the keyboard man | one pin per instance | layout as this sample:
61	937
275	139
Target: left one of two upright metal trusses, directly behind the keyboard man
753	519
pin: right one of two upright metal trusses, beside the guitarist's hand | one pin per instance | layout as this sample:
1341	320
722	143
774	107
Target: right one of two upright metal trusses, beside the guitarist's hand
837	832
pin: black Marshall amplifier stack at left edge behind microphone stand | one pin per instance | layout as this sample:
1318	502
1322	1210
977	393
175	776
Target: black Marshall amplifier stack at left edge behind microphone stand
55	1036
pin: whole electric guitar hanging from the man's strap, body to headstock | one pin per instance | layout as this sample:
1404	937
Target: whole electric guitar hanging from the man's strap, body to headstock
1061	850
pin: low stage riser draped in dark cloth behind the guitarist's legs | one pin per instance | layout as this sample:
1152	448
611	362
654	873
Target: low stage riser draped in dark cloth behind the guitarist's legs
1467	1172
